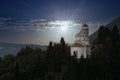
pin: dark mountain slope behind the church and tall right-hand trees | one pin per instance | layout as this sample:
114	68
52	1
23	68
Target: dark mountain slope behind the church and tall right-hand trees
110	25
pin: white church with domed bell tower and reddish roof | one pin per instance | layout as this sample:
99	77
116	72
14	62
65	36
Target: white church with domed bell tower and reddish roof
81	46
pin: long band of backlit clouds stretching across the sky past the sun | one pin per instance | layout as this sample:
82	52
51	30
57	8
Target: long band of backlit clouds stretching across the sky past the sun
36	24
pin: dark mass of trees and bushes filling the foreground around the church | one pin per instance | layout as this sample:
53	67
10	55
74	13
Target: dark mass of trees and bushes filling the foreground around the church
57	64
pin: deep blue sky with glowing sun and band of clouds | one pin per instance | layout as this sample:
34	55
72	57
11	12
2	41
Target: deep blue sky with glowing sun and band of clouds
42	21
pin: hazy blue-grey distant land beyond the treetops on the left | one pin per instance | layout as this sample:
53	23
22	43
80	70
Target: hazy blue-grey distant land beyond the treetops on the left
12	48
